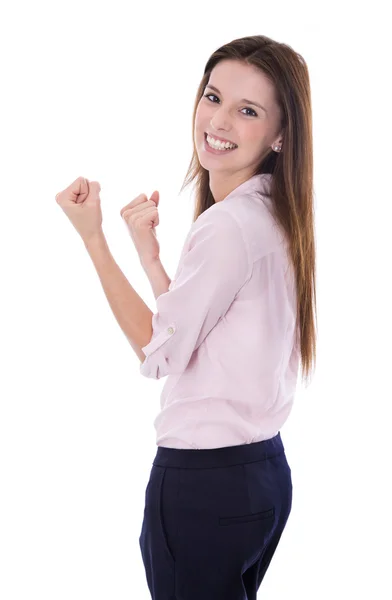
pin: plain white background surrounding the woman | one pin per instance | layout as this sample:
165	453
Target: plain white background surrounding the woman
106	90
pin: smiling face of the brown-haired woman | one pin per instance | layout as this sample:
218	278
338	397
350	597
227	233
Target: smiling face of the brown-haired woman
225	114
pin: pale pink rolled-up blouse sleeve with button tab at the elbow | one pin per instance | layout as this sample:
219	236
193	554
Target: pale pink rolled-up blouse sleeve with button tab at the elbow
212	271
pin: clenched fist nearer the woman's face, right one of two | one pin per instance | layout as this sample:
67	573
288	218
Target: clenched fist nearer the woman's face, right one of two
141	217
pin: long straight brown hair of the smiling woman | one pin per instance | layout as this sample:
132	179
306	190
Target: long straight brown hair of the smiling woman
292	169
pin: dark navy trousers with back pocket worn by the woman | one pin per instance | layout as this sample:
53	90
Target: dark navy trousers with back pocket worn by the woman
213	519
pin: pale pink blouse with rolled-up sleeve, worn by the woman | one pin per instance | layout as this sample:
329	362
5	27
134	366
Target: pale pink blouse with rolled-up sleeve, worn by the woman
223	333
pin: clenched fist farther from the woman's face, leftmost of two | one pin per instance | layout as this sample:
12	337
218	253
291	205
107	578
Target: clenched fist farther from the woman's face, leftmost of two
81	203
